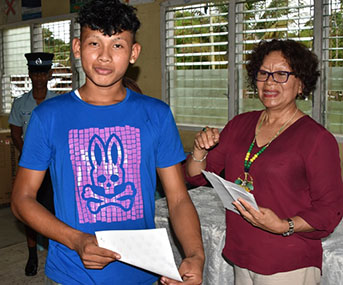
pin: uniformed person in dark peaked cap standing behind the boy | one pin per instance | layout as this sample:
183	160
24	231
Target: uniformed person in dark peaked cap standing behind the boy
39	67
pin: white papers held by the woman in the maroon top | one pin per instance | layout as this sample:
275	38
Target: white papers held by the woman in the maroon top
229	192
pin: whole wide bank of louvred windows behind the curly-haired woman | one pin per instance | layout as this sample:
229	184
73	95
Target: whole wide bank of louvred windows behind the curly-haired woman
205	62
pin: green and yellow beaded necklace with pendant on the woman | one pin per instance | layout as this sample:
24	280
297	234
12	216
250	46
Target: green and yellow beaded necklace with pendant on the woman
247	181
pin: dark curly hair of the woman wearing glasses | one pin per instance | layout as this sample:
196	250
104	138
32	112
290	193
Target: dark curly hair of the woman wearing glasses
301	60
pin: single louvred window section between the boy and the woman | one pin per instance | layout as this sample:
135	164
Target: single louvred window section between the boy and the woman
197	64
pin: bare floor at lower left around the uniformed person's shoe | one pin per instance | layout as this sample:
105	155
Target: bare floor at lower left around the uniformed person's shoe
13	252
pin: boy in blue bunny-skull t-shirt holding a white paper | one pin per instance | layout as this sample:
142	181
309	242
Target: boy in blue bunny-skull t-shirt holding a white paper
103	144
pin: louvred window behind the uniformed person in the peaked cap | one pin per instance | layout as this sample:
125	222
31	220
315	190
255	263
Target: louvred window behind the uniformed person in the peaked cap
51	37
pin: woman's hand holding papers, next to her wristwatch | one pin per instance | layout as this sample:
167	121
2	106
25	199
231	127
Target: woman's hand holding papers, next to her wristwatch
264	219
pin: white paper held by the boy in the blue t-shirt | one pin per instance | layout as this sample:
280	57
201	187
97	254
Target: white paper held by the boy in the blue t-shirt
146	249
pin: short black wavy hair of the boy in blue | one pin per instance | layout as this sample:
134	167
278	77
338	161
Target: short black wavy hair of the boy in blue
108	16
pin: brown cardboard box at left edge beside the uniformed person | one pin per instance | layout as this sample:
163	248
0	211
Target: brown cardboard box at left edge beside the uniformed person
8	166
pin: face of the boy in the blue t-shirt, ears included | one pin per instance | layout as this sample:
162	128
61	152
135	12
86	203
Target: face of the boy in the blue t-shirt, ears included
105	59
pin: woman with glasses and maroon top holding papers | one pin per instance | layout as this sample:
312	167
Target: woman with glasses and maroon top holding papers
288	161
